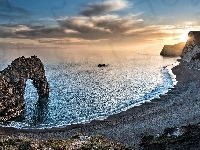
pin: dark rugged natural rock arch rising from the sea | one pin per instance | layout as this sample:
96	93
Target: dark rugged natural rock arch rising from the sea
13	82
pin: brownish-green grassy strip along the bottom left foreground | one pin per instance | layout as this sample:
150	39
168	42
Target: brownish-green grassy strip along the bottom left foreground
77	142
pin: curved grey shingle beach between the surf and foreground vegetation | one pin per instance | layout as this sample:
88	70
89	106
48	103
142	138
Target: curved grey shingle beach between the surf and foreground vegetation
179	106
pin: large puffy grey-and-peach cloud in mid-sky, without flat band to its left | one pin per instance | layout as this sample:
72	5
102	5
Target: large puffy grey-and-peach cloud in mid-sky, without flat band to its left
99	26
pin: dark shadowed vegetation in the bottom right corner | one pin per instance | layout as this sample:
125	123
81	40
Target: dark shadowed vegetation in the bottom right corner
188	138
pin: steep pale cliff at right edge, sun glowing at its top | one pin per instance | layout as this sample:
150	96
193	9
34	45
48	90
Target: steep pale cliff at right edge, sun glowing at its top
191	51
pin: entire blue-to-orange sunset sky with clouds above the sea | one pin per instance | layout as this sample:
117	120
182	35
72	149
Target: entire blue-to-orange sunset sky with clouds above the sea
95	25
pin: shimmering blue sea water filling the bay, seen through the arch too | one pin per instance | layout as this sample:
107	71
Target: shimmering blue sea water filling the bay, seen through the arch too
81	92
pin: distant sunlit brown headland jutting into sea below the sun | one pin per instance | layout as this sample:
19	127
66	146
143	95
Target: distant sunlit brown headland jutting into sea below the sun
172	50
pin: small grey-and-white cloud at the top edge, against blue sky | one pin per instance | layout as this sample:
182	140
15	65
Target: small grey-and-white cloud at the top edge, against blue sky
106	6
